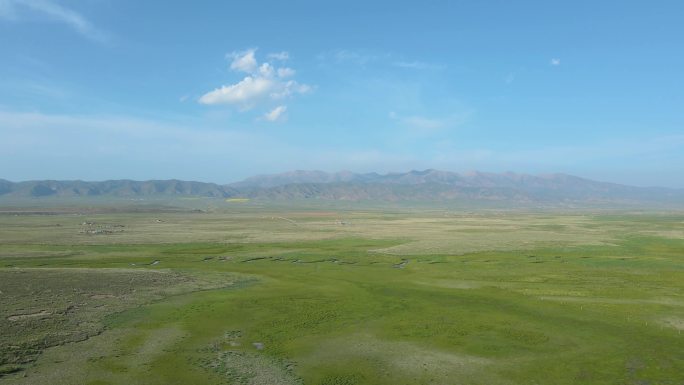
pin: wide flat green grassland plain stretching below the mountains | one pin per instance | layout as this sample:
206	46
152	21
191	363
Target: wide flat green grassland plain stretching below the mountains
250	294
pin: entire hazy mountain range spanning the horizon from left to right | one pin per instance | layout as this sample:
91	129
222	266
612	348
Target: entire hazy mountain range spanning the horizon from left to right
426	185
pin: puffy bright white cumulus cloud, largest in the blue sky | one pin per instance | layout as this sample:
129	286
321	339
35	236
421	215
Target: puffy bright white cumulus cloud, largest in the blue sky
263	85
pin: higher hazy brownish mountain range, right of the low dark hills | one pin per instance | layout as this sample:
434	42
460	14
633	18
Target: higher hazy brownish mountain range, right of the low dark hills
435	185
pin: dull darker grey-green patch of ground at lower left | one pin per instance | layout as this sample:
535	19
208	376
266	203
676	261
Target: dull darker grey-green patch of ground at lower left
40	308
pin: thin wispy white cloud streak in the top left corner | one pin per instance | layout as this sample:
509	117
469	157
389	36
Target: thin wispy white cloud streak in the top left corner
10	9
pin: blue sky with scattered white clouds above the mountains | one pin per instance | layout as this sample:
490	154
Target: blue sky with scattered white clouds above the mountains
218	91
